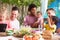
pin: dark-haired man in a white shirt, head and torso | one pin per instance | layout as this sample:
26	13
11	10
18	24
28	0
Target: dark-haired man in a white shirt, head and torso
13	19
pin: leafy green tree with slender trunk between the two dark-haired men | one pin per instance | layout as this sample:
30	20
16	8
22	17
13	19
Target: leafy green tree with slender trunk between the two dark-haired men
23	4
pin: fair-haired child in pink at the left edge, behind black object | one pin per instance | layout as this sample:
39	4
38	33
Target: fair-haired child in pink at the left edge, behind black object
3	18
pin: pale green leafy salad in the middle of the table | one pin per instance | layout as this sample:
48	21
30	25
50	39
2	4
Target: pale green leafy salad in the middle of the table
23	31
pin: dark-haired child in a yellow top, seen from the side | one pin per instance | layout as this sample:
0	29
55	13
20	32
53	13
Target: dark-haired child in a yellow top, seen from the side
51	26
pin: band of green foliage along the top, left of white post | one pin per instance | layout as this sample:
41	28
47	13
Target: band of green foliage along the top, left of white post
21	2
